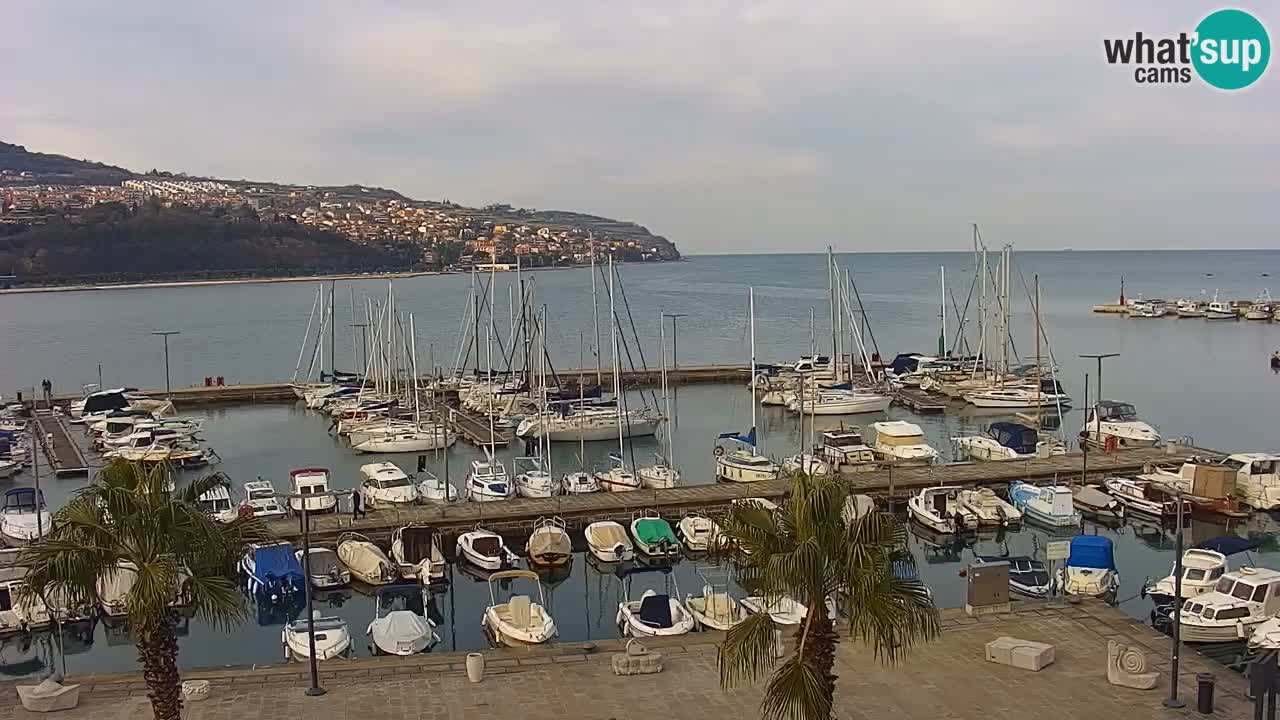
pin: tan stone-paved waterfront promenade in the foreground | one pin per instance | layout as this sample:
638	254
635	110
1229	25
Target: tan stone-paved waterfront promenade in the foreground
948	680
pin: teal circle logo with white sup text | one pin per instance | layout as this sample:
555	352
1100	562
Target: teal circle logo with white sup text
1232	49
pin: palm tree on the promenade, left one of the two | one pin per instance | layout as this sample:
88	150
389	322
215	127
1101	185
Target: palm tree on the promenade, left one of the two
181	557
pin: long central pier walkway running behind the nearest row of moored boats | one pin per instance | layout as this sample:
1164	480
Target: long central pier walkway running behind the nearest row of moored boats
516	516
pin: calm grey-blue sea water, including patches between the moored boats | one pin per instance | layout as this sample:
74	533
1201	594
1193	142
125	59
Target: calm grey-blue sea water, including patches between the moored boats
1209	381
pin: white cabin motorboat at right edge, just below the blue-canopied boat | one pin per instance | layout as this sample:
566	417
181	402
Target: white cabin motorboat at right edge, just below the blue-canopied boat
1241	601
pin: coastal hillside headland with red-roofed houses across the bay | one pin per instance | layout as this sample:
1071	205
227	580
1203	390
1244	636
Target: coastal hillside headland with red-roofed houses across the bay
67	221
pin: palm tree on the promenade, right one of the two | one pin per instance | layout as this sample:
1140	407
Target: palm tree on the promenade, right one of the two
808	552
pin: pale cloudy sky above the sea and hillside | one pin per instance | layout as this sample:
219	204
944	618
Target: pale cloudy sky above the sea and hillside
728	127
